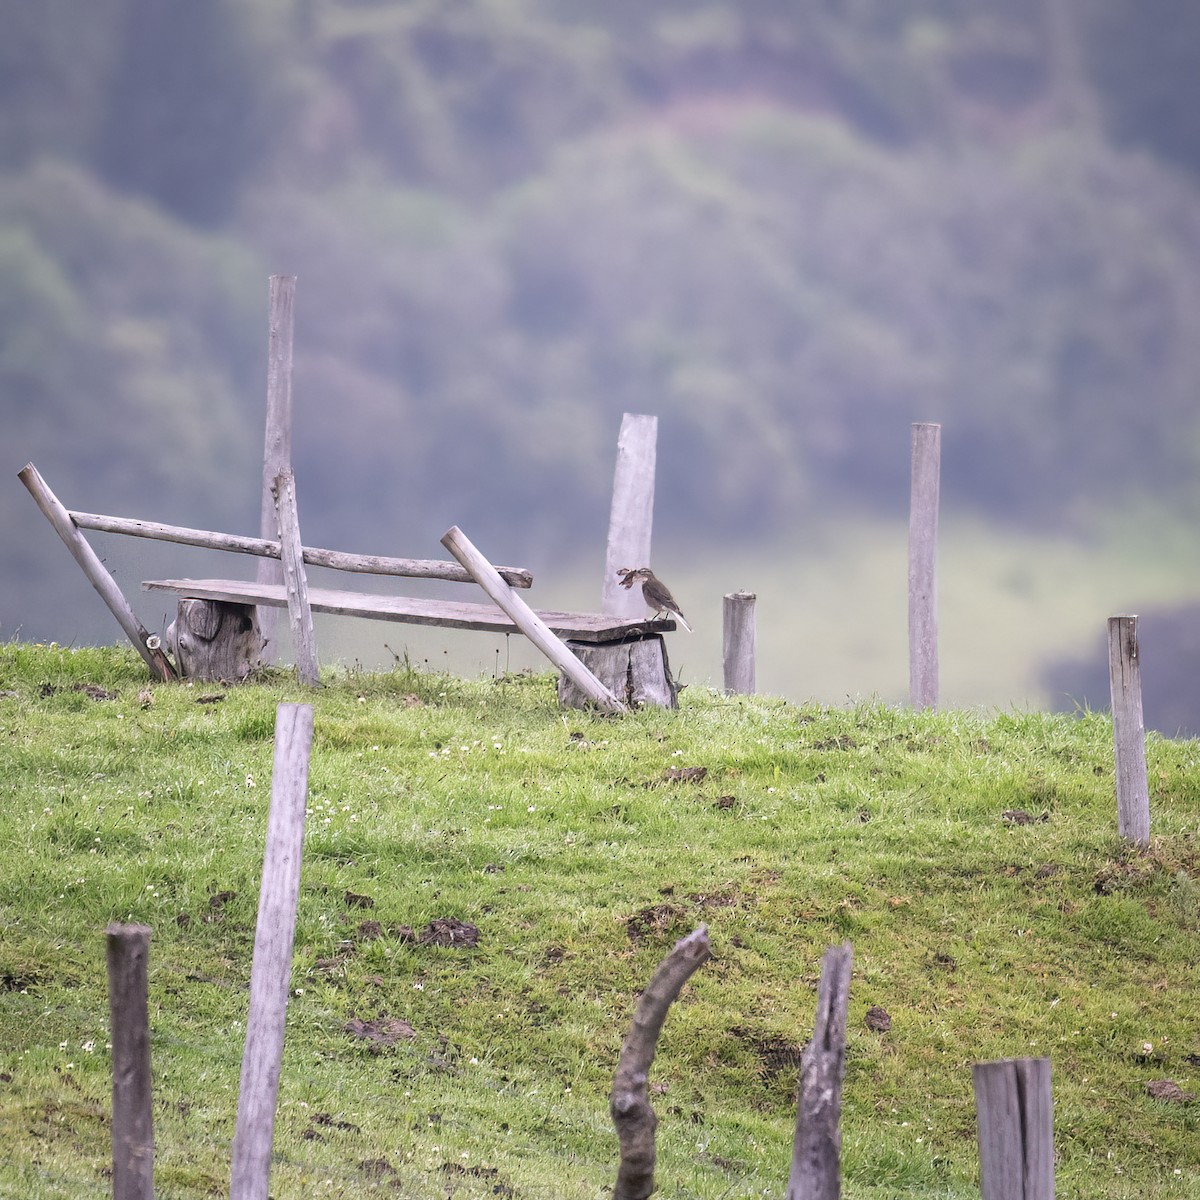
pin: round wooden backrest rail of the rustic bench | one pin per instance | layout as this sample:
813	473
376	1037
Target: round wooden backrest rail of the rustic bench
314	556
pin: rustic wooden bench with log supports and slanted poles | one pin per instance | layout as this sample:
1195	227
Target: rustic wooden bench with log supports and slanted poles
607	659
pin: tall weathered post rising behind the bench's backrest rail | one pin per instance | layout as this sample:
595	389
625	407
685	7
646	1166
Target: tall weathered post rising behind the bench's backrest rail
278	439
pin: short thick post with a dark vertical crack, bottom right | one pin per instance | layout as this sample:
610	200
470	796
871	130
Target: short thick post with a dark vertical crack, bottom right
1016	1118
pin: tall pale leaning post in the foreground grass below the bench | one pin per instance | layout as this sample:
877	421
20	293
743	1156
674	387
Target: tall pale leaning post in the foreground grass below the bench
272	968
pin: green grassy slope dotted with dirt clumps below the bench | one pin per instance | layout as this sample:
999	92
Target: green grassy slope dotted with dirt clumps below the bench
556	835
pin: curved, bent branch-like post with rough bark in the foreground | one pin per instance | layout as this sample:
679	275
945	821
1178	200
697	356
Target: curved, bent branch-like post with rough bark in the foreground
632	1113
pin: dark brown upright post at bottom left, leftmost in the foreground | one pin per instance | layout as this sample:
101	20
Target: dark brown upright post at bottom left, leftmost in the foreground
129	951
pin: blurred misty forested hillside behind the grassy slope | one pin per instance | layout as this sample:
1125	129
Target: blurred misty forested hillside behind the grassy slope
790	229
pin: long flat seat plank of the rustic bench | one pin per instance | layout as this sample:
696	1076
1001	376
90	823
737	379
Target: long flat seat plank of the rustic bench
581	627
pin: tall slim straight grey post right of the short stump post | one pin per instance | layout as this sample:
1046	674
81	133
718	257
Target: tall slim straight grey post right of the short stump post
927	452
